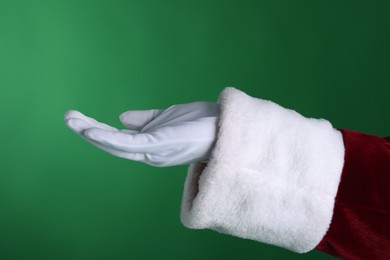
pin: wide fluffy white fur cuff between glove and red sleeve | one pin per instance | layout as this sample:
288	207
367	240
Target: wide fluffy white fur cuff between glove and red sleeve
272	176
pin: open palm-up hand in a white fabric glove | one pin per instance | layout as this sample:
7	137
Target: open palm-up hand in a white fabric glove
180	134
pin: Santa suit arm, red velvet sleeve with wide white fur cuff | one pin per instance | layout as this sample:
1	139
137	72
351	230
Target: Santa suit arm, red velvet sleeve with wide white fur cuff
274	177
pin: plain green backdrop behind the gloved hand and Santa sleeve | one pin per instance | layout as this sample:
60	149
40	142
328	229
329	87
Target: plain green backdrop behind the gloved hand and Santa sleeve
61	198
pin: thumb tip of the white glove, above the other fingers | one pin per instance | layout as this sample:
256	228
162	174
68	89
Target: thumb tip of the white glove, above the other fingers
136	119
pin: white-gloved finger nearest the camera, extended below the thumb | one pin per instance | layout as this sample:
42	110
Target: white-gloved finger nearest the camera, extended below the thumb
133	143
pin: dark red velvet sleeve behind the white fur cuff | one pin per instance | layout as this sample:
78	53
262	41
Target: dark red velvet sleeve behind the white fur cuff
360	227
